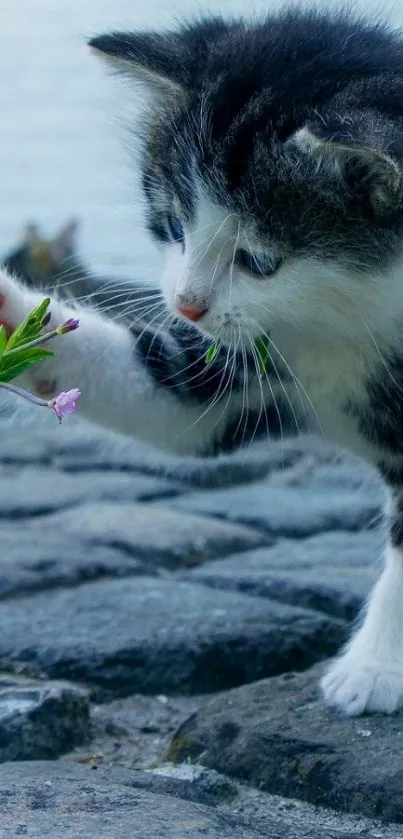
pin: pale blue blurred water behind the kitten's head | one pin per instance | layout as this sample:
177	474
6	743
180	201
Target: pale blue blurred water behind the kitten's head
63	136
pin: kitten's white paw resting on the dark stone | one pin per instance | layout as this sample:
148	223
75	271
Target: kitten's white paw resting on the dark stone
356	684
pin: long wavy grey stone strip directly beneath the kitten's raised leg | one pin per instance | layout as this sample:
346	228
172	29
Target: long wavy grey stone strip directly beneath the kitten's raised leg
79	448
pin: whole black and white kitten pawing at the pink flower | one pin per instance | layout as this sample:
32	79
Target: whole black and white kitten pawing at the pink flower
272	170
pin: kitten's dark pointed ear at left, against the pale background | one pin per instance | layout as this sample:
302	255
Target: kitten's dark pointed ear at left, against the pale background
170	62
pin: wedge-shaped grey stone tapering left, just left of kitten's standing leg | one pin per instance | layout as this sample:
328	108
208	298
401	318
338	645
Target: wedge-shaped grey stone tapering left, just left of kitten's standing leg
332	572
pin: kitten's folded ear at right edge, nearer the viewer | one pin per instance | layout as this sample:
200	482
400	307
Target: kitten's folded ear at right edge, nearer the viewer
375	176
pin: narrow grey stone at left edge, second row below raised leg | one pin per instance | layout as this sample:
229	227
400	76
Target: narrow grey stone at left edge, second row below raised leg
37	491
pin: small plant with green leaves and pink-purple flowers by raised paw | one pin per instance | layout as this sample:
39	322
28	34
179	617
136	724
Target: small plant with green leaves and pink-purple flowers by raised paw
23	348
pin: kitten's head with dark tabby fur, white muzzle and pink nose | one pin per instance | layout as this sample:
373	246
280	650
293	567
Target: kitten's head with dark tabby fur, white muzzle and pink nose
272	168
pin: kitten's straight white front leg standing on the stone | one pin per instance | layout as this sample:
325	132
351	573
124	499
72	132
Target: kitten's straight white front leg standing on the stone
368	677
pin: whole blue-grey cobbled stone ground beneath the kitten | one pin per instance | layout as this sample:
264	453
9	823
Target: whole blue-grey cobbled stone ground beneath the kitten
162	632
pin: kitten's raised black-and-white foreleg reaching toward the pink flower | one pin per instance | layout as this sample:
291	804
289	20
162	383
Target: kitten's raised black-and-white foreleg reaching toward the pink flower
145	383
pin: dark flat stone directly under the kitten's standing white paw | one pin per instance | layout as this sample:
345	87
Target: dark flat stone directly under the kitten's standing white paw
277	735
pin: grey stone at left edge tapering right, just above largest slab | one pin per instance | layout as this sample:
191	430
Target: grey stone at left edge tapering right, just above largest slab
37	558
